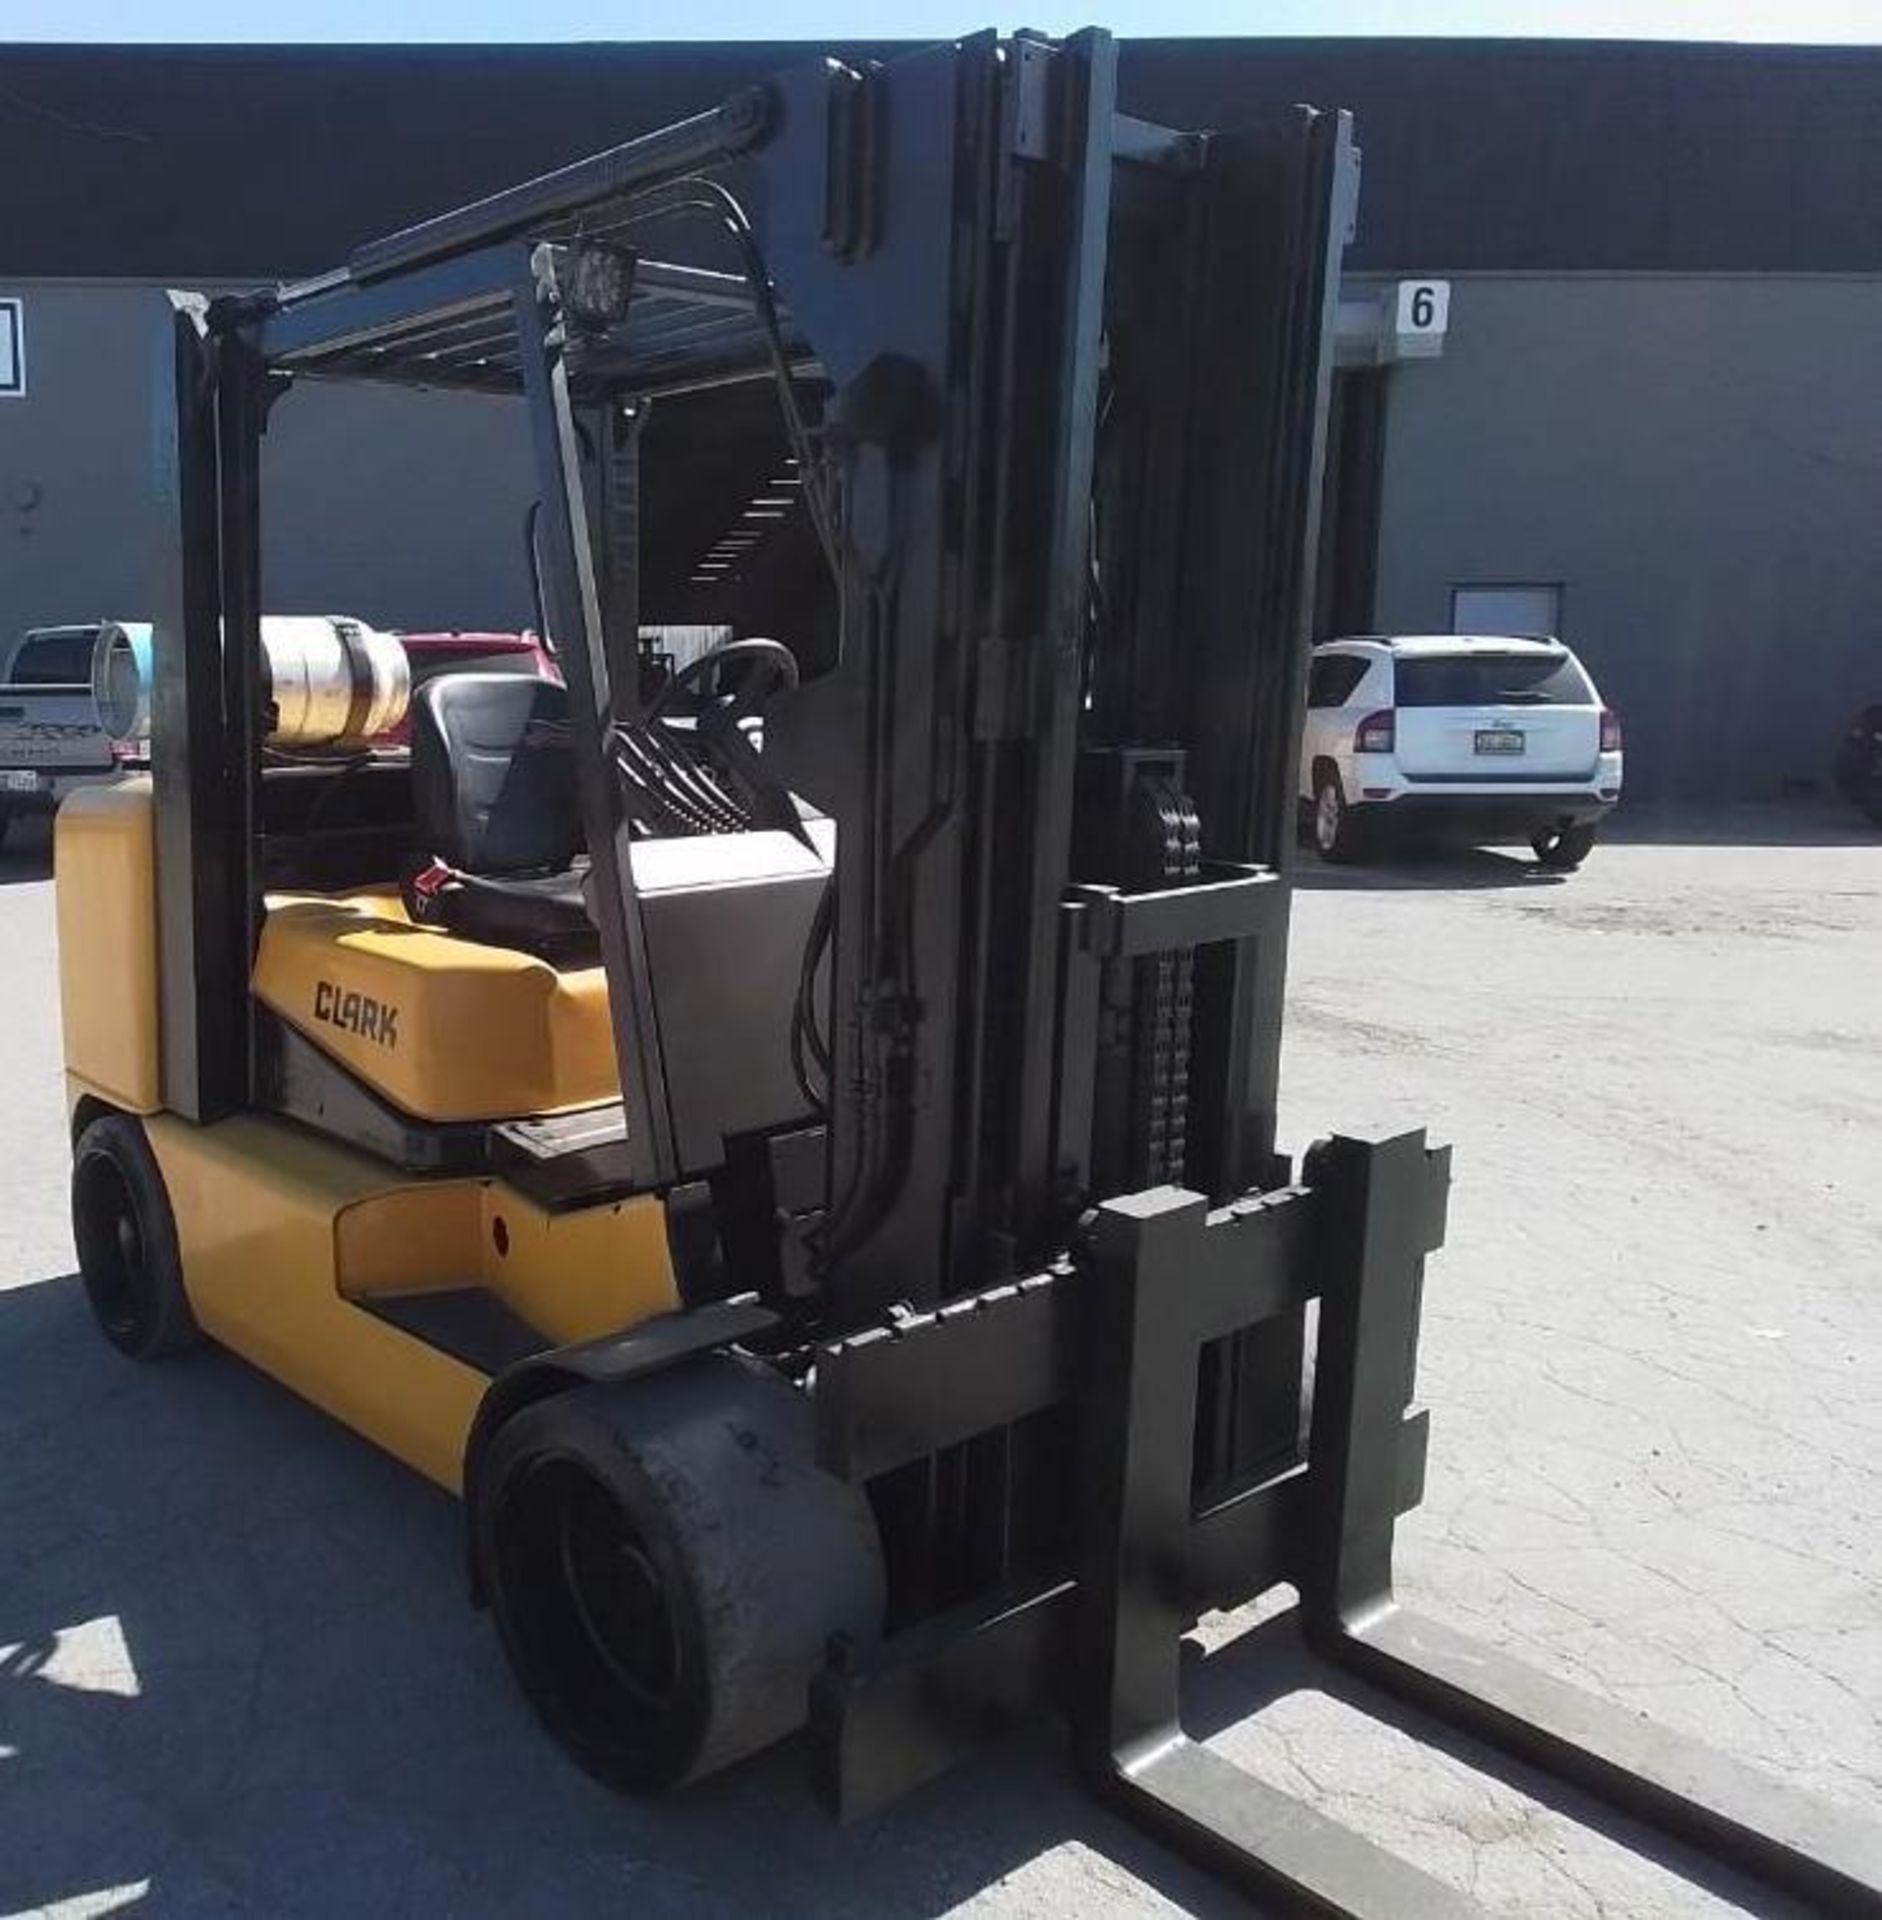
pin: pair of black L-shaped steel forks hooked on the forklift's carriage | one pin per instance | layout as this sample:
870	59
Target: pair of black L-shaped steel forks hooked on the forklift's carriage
1382	1214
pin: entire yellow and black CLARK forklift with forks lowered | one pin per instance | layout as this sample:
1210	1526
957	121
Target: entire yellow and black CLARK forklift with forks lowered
794	1147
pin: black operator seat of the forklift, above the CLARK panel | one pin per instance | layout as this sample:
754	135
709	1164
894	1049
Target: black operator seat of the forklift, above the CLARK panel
495	790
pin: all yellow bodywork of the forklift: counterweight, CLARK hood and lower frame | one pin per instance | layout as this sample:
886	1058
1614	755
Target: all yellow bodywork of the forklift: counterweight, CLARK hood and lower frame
285	1236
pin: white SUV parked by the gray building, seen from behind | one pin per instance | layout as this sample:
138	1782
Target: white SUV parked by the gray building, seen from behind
1464	736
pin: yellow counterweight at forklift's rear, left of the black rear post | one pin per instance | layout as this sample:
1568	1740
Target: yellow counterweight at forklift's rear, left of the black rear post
107	894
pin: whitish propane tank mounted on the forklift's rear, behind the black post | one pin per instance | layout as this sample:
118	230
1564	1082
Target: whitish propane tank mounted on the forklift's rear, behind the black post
326	681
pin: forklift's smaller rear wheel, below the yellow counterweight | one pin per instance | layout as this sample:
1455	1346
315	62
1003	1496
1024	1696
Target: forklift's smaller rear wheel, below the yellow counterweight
128	1241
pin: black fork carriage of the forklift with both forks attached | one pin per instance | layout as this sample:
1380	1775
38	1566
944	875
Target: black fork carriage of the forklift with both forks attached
1163	1276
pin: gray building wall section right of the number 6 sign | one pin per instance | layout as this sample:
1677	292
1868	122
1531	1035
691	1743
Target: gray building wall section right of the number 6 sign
1695	464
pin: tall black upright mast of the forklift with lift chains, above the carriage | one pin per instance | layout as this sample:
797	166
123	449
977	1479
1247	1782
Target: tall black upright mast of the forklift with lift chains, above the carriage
1073	494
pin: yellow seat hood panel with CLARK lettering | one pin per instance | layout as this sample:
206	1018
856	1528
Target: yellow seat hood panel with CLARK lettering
443	1028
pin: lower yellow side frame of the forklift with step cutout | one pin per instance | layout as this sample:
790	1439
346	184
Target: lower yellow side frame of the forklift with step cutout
281	1236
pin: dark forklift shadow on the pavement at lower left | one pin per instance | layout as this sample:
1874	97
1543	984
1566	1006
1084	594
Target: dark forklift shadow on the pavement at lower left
239	1675
